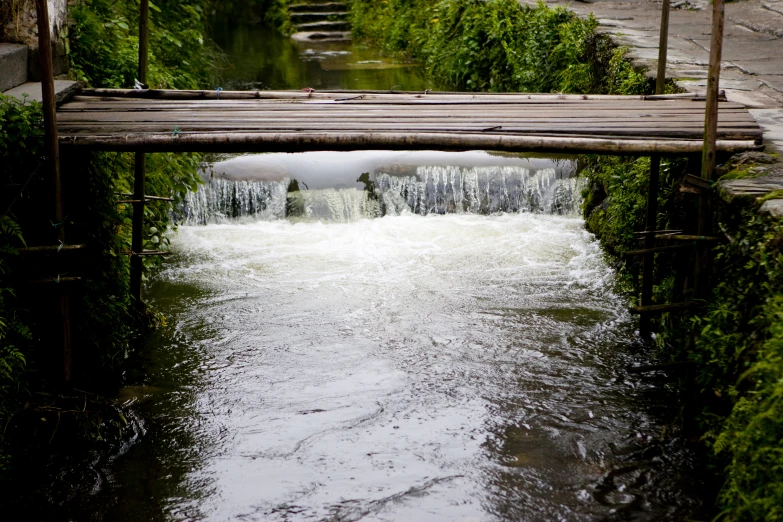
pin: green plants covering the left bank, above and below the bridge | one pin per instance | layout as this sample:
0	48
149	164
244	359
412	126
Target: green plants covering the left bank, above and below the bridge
103	53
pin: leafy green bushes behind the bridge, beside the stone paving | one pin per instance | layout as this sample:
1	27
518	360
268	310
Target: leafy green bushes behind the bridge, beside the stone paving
499	45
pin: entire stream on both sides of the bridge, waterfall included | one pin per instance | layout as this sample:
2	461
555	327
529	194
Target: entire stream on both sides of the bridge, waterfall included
439	339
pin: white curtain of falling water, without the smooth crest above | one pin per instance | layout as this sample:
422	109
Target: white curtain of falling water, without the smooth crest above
430	190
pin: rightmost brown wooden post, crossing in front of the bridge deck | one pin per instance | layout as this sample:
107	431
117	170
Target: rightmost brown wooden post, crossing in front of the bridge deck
708	160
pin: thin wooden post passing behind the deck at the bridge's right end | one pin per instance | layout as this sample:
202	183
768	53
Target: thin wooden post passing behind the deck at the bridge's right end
651	221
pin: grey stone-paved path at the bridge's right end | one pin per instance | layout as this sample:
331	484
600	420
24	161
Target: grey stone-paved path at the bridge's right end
752	66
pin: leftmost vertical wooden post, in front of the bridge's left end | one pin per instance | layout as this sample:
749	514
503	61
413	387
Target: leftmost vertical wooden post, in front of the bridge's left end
53	156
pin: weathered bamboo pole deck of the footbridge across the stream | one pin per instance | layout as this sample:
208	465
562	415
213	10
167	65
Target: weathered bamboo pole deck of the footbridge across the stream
297	121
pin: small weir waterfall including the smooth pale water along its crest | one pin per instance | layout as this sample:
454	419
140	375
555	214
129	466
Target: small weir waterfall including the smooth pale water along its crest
327	187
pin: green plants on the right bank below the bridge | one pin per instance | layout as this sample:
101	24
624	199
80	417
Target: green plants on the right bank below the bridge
736	340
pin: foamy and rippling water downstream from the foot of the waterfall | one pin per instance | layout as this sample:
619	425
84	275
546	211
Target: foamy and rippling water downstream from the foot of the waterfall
454	367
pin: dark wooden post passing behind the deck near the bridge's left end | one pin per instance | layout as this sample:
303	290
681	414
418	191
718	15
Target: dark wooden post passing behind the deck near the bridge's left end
137	237
